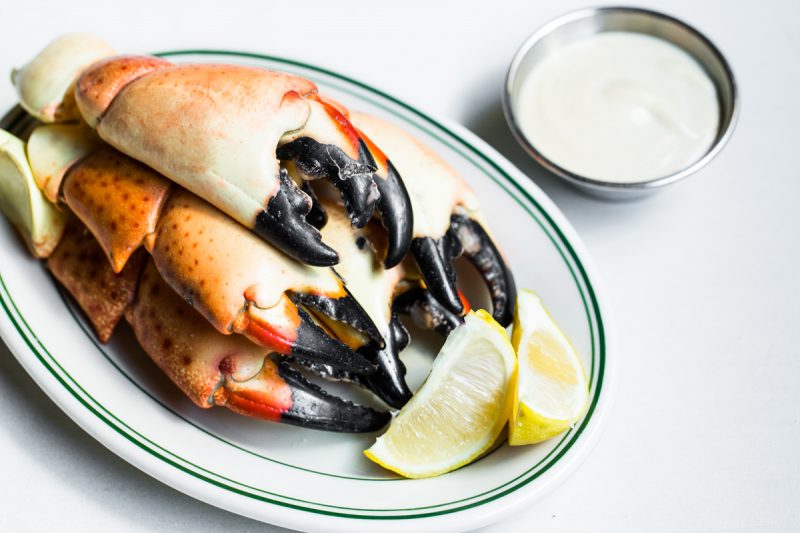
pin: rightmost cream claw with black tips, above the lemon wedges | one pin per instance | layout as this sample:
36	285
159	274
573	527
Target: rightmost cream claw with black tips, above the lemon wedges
447	222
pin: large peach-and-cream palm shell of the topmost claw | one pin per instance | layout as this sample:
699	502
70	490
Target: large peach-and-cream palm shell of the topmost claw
212	129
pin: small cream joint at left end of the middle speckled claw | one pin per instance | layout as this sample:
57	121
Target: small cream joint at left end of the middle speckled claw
53	149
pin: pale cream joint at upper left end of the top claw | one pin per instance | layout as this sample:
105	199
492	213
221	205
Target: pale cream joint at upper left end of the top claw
44	84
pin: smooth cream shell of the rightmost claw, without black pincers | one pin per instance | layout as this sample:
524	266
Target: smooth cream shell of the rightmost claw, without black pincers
434	187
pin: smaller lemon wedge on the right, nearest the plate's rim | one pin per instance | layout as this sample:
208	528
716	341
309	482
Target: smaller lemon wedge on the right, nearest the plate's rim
551	390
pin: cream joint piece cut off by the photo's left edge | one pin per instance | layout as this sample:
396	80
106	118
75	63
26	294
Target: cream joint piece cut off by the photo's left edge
36	219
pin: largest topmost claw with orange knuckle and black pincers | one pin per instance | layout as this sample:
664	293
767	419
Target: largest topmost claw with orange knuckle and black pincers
222	131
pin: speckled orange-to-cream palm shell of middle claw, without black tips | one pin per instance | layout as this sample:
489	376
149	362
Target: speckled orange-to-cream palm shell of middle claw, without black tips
206	256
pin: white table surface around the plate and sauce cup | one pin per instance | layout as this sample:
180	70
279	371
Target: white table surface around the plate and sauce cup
703	278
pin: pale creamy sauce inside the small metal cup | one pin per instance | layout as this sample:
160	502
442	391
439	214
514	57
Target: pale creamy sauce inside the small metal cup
619	106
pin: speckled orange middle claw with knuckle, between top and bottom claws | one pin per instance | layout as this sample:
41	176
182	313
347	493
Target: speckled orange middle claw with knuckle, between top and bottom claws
239	283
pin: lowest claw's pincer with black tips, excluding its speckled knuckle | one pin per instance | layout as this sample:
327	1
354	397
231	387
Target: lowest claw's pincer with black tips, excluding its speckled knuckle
223	370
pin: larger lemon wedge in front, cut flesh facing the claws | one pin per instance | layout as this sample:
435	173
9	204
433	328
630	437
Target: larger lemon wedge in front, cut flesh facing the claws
461	408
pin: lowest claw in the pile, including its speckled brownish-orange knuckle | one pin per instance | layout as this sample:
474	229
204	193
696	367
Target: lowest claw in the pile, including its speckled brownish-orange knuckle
212	369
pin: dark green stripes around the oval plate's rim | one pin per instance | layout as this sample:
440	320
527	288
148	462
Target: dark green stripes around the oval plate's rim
550	228
